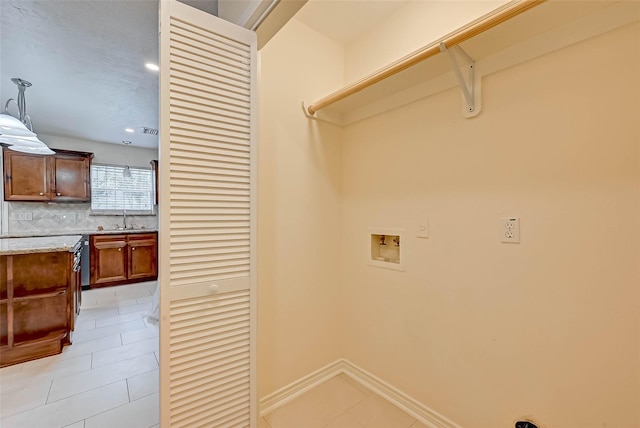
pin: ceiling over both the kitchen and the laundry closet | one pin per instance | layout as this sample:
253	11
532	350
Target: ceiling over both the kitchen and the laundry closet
86	59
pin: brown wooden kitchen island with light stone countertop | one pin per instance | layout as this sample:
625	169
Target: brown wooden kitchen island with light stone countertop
39	296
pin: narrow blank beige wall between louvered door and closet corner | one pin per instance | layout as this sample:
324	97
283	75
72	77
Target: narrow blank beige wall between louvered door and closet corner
299	208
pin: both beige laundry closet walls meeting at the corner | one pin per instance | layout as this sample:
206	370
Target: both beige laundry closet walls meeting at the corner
480	331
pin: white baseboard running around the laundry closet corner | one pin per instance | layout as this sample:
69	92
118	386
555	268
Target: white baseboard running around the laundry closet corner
422	413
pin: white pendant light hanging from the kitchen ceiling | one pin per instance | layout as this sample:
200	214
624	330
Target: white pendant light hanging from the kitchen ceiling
17	133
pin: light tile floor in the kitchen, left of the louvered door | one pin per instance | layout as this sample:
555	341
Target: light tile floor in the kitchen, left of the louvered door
107	378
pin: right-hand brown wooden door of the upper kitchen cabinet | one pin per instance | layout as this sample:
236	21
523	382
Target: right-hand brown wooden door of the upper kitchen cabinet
71	179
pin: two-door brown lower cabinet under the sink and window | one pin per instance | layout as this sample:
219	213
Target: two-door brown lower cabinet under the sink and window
123	258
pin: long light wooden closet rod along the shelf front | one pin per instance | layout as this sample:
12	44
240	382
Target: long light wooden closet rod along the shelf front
501	15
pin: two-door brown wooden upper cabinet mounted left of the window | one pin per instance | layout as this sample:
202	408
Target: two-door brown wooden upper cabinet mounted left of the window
63	177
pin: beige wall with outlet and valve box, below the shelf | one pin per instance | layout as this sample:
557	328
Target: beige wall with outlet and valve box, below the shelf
485	332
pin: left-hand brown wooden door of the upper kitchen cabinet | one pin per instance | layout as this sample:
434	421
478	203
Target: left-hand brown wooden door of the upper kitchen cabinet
25	177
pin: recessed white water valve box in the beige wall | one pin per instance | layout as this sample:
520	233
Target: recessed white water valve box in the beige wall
385	248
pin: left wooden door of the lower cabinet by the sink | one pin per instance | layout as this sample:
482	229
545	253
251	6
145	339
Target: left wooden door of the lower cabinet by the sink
108	259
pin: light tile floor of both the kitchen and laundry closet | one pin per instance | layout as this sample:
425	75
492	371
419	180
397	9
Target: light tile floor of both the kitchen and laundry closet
108	378
